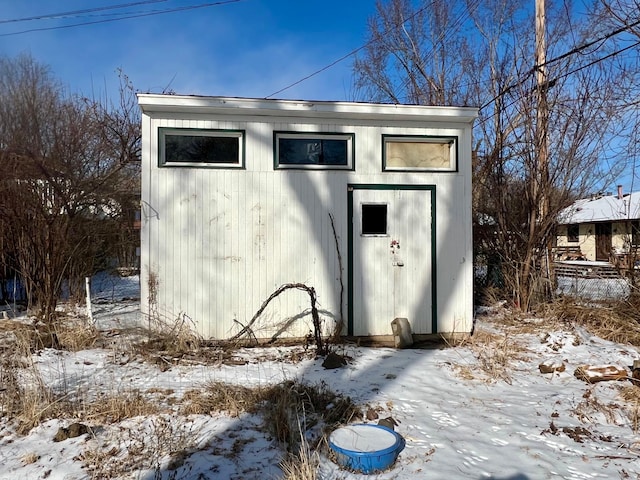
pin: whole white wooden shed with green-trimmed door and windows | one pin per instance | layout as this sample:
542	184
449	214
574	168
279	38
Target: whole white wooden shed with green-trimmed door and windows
369	204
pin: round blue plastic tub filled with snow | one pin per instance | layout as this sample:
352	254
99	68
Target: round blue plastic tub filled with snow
366	448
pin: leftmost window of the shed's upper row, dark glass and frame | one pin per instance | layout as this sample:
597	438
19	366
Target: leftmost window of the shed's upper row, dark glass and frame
186	147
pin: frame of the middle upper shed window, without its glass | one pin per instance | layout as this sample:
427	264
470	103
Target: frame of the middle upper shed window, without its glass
286	134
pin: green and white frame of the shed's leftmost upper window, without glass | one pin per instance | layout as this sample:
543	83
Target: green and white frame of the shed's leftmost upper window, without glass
163	132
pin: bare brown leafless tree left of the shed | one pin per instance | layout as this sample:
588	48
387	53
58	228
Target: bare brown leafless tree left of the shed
62	169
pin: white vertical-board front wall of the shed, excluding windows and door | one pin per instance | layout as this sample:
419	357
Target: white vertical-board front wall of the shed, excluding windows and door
216	243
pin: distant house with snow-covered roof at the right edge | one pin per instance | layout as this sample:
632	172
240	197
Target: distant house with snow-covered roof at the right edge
603	227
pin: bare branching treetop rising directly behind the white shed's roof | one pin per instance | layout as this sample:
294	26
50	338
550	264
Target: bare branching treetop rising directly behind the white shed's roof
411	55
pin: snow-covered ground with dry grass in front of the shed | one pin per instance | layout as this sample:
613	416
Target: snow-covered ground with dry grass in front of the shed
480	410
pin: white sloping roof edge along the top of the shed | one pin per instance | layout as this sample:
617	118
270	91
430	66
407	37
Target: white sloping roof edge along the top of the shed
302	108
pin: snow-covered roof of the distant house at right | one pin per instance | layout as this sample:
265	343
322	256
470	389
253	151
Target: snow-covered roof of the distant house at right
602	208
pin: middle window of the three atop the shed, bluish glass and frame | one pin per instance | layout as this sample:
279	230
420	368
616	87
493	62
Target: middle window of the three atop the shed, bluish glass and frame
313	150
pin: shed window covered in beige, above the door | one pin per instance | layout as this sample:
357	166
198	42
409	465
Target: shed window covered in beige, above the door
402	152
